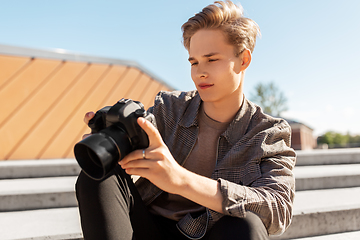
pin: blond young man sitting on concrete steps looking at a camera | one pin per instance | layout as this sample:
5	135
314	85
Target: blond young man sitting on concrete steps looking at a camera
216	168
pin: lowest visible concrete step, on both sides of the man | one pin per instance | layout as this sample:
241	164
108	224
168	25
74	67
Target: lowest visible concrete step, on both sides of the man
316	212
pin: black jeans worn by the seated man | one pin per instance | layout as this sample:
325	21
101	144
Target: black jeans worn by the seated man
113	209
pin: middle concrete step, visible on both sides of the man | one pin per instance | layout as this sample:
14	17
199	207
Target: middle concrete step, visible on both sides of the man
36	193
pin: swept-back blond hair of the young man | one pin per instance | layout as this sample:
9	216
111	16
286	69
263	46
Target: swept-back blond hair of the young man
241	32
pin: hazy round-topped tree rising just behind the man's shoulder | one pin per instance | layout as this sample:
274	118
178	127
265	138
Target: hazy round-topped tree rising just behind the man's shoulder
269	98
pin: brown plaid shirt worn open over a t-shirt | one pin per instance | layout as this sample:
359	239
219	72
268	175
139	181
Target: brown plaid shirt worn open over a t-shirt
254	162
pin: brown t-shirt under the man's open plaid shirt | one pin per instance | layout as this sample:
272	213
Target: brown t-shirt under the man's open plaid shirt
202	160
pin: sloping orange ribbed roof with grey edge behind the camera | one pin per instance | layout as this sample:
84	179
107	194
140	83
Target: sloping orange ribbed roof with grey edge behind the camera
44	96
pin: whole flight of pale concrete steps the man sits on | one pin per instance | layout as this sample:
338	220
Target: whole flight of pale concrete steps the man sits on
324	212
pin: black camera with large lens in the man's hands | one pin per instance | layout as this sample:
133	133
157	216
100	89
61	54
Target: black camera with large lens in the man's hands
115	133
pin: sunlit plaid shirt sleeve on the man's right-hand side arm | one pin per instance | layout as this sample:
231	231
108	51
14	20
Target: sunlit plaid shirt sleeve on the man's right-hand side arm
271	194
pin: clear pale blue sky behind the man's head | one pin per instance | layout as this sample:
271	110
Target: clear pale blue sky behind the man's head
309	48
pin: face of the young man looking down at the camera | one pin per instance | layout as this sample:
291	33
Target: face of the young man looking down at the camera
215	70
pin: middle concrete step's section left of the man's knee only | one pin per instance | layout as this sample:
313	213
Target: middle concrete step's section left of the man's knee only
37	193
